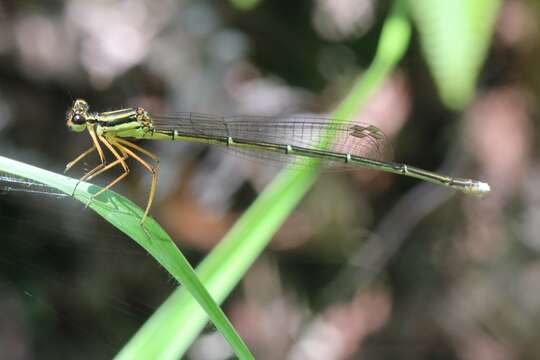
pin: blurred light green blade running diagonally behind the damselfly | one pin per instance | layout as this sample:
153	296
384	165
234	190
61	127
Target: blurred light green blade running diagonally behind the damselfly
225	266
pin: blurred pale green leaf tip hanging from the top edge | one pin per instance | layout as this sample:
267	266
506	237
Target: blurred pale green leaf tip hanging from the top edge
455	36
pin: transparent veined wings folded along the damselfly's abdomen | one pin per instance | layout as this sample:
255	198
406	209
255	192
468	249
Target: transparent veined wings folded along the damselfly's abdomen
311	132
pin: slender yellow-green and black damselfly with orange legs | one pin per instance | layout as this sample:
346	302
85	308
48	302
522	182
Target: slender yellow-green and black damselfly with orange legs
297	140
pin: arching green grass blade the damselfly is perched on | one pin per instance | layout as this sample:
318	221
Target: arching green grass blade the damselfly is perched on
125	215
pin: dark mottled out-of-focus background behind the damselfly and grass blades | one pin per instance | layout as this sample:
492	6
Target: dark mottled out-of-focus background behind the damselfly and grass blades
370	265
